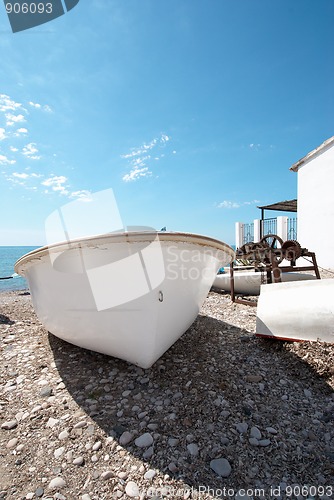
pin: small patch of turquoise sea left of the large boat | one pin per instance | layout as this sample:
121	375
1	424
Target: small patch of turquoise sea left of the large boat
8	257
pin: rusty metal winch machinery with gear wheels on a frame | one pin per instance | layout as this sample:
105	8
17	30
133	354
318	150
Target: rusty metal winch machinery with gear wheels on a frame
265	257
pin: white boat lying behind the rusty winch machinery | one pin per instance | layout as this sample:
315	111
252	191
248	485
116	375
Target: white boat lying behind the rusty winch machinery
249	282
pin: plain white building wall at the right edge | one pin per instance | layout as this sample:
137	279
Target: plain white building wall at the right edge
316	207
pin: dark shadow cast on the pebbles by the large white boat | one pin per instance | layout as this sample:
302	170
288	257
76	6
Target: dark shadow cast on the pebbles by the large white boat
197	392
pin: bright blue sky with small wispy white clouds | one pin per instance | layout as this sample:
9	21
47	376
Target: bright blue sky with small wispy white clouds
192	111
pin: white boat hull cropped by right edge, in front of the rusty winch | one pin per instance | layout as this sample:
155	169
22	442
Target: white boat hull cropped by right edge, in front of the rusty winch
297	311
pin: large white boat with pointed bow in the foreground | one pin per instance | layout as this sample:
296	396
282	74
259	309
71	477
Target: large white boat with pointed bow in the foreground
130	295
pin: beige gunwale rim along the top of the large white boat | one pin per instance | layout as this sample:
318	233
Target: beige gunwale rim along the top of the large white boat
123	237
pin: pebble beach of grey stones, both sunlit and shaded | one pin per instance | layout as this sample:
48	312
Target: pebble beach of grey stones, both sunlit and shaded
223	414
